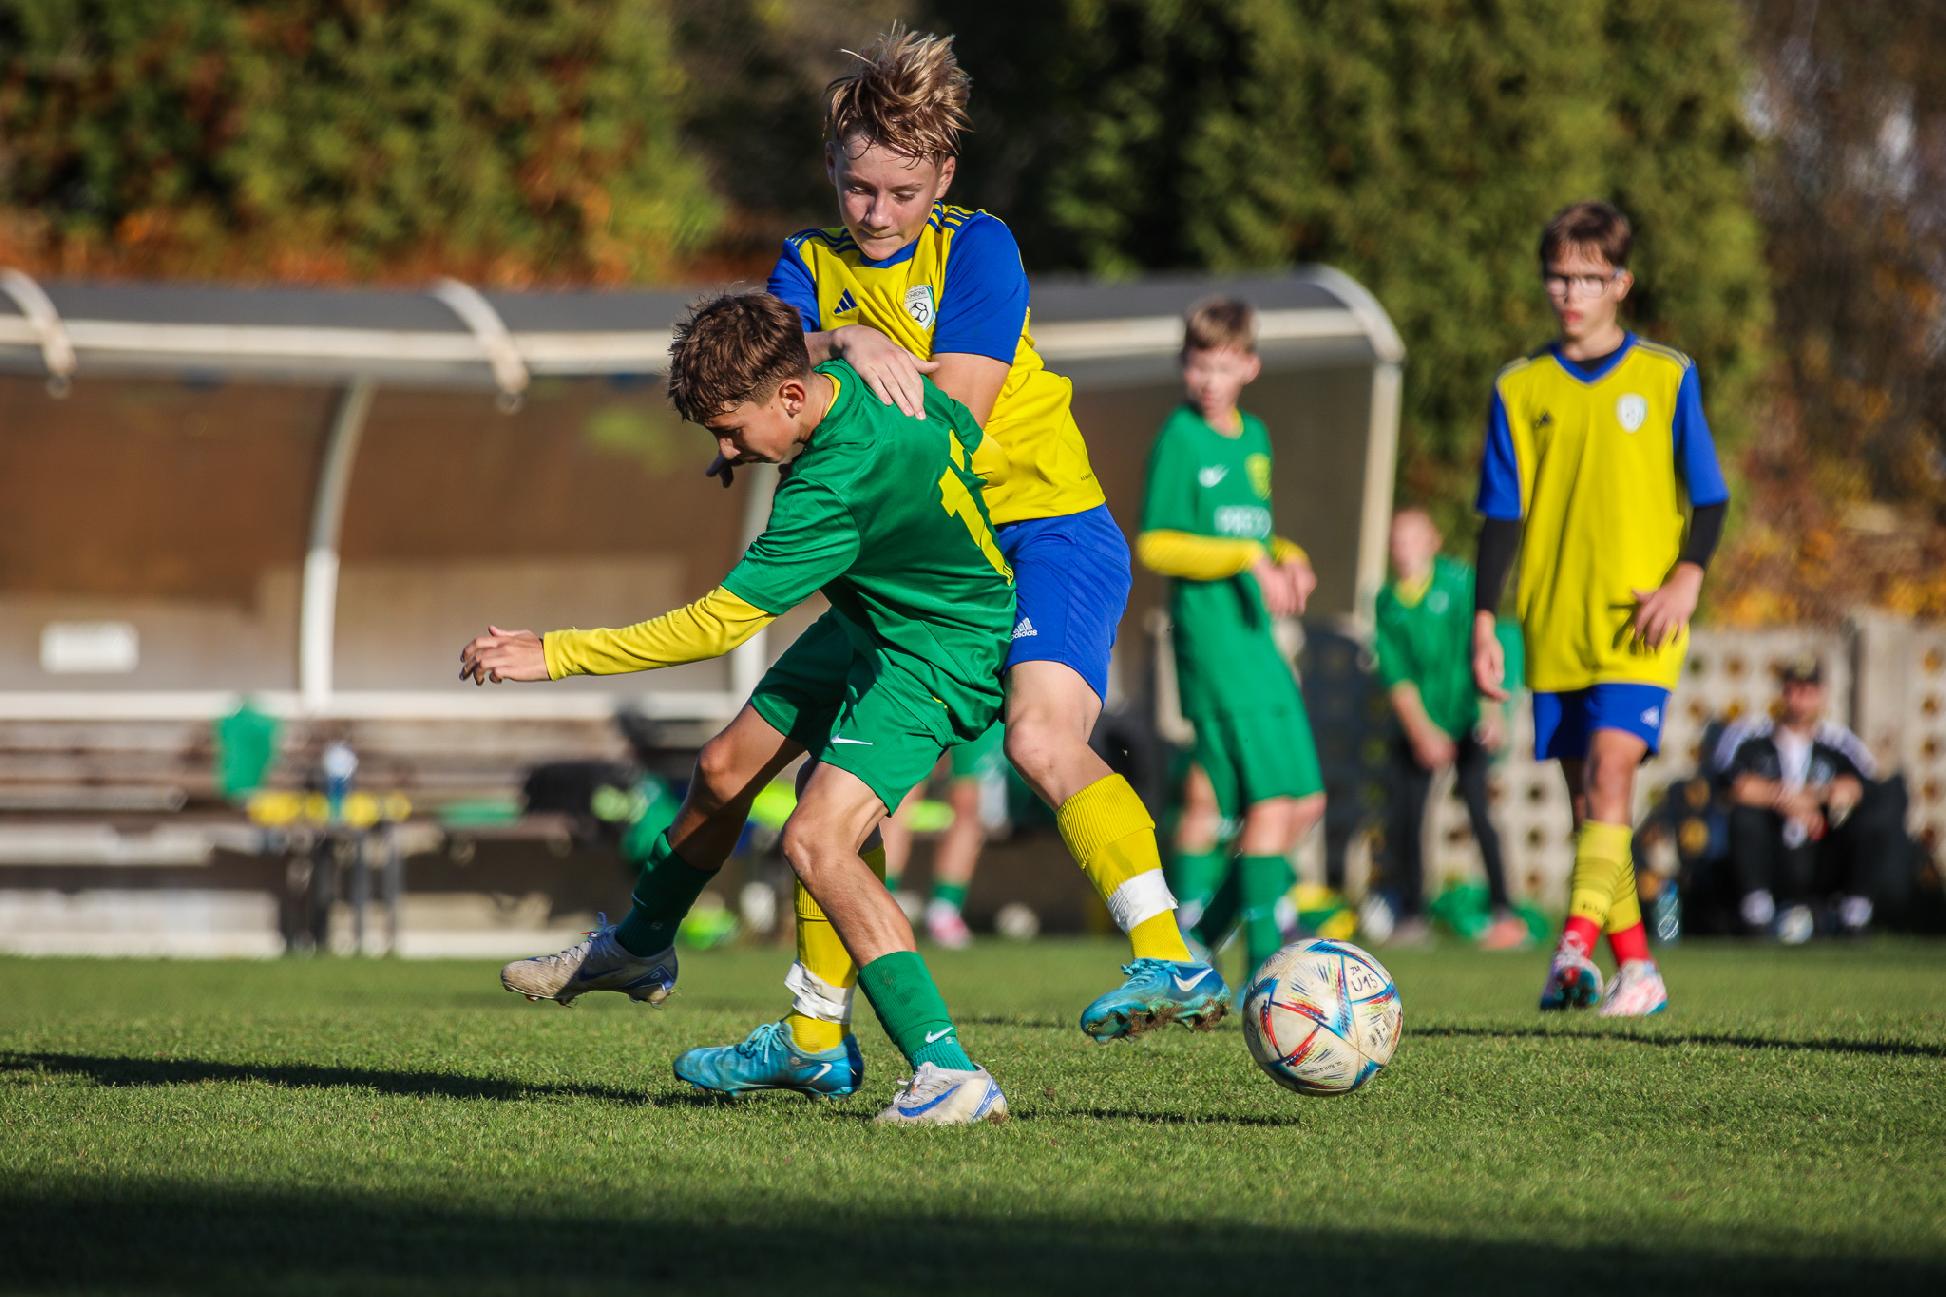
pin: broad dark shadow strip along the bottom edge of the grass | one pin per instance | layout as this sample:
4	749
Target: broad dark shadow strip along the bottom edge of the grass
196	1240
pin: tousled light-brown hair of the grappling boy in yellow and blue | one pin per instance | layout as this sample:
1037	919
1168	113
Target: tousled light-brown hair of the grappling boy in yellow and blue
906	94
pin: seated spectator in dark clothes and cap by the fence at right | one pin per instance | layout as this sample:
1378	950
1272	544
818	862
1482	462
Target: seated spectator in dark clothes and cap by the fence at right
1809	829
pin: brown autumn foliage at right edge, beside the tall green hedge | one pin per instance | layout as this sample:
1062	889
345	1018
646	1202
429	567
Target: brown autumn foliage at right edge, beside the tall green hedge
1848	490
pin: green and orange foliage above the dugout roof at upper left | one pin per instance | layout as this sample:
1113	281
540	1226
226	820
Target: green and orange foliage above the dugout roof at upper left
347	139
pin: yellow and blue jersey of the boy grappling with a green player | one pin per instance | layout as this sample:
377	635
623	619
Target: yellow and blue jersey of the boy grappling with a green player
958	289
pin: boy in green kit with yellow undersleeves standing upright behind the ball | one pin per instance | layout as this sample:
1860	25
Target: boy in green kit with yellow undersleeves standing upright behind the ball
1207	527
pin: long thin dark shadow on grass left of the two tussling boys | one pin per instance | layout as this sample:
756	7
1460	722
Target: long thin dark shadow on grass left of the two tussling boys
104	1070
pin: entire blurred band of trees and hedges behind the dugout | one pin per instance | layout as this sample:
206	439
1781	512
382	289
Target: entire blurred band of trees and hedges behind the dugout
1418	145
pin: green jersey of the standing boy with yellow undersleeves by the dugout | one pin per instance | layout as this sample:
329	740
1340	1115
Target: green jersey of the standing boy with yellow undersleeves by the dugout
1209	484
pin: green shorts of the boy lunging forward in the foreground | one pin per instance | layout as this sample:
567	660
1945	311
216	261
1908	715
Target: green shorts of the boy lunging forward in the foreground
847	710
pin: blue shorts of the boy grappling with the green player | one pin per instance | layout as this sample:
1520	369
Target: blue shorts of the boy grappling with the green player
1071	589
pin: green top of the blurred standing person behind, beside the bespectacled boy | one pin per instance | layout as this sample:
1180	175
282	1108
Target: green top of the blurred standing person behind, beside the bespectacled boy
1425	638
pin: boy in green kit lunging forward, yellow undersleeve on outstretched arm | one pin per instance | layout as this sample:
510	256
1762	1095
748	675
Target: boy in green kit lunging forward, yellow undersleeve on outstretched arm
883	515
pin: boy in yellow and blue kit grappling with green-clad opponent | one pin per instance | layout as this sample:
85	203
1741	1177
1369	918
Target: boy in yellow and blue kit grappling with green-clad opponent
910	289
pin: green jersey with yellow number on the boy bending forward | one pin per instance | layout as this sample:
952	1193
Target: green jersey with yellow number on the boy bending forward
883	515
